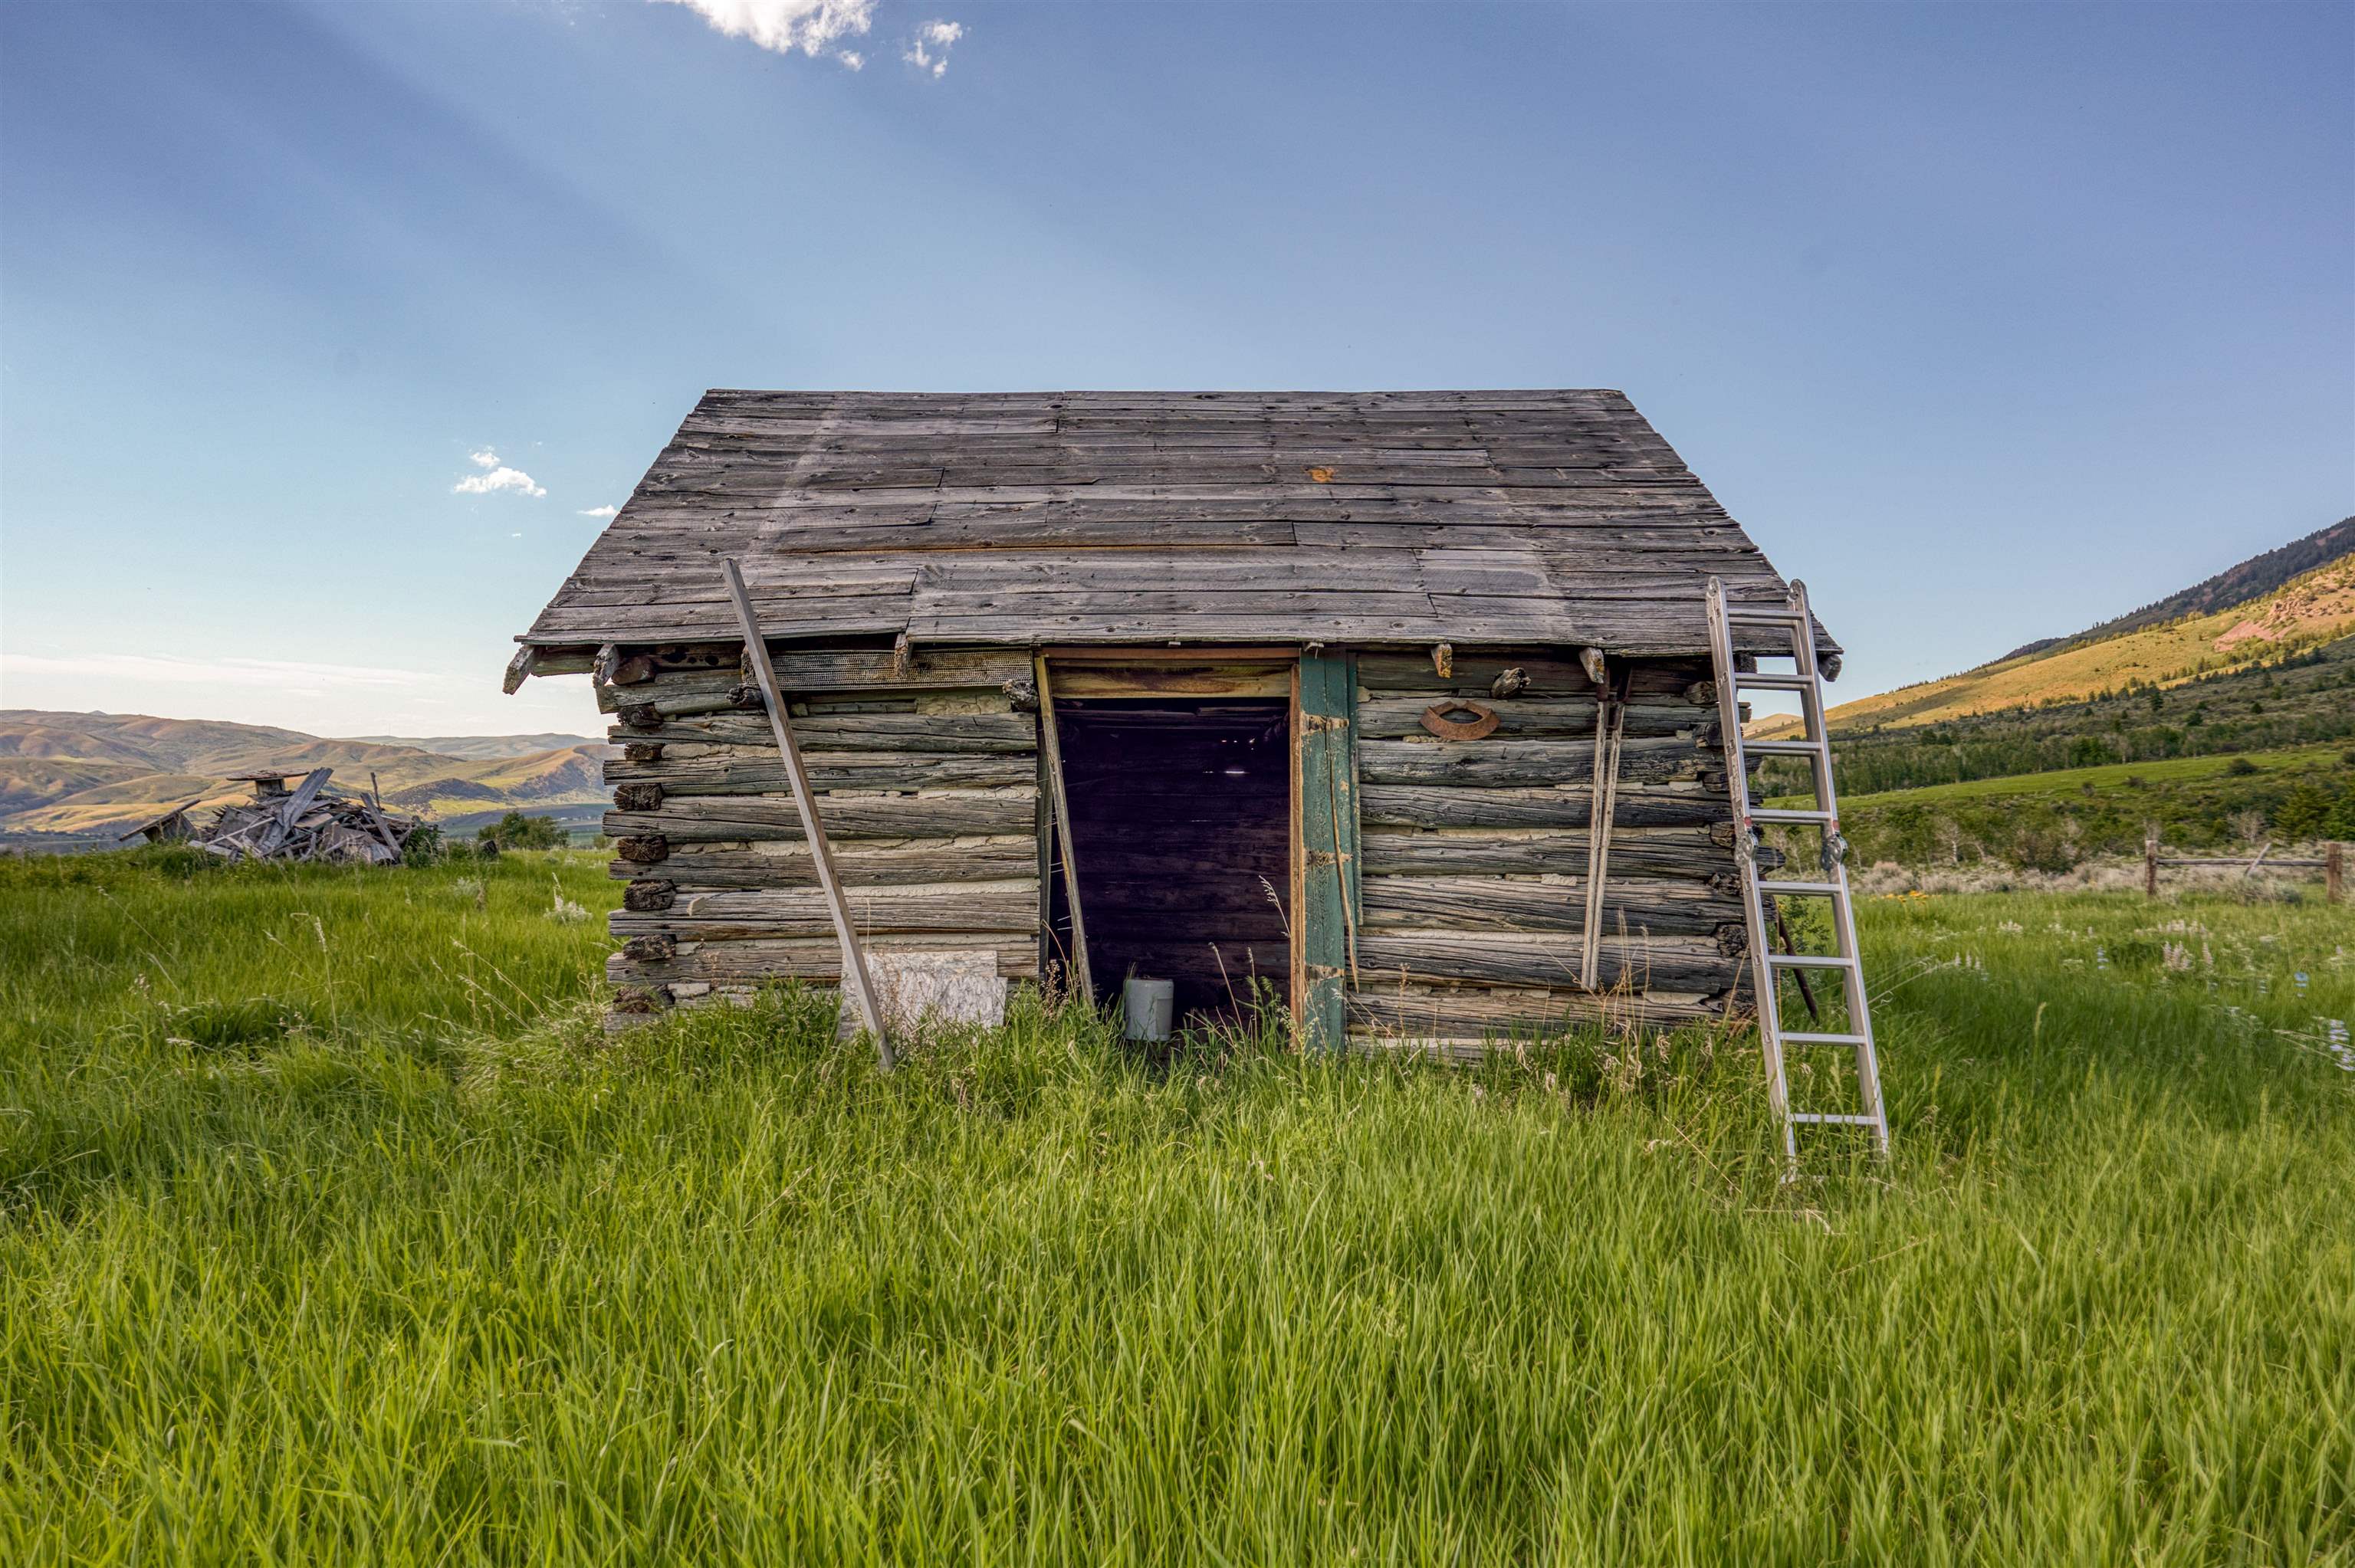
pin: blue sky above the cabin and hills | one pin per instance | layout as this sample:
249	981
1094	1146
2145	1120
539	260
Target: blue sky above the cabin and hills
1989	321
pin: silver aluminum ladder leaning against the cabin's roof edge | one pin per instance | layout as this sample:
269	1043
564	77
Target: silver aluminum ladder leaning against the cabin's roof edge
1767	966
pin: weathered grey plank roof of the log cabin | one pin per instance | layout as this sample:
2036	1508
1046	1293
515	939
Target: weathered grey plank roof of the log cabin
1035	519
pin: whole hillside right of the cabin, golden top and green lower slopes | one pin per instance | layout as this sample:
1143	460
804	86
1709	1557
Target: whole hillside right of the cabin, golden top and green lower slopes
2217	717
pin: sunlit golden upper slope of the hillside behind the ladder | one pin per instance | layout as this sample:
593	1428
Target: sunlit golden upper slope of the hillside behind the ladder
2217	634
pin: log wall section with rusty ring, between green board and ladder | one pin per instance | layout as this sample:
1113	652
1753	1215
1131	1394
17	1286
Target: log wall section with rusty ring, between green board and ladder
1475	853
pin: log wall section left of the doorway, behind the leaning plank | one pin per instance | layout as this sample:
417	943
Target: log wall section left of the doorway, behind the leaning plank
929	792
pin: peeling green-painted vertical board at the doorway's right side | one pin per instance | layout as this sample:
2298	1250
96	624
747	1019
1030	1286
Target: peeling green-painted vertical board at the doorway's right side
1325	853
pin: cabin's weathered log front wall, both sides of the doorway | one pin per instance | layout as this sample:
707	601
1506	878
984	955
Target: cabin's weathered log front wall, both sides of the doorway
1473	853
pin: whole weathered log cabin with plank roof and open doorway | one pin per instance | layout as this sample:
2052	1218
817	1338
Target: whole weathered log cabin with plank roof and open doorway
1398	703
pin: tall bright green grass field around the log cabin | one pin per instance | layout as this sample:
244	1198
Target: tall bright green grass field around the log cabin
336	1230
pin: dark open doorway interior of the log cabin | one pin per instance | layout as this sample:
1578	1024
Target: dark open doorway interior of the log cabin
1181	825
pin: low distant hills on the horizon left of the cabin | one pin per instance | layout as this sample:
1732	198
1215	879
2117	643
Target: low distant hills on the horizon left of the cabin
105	773
